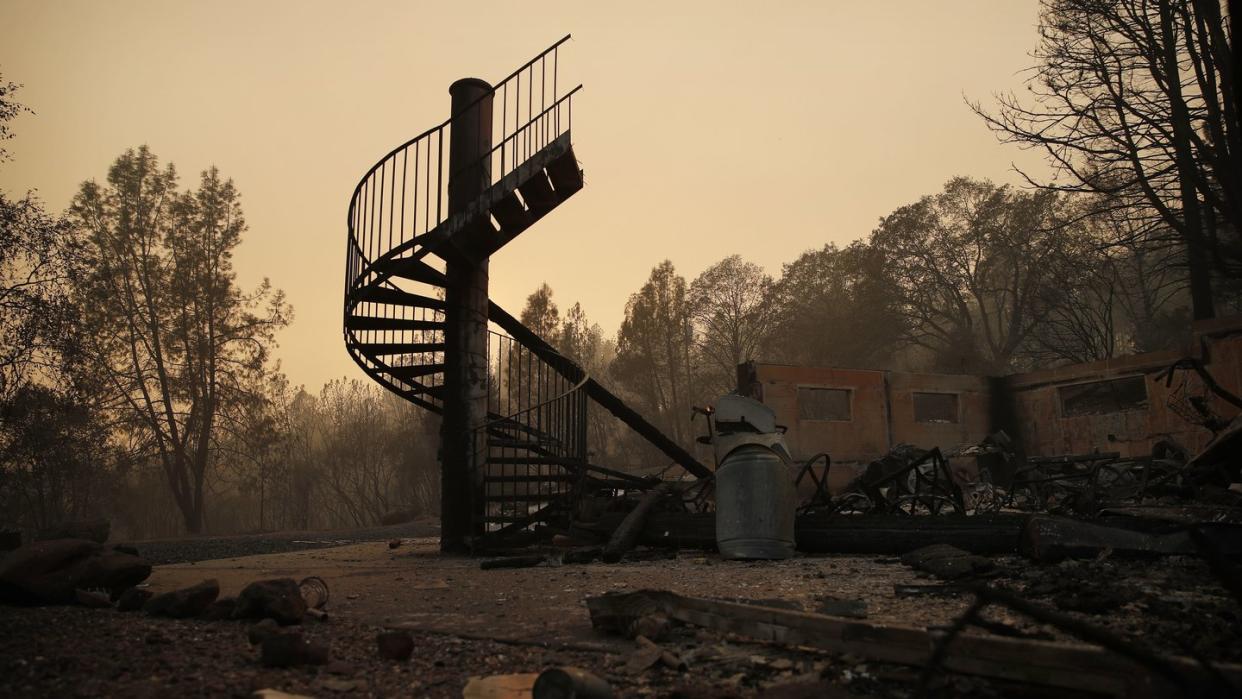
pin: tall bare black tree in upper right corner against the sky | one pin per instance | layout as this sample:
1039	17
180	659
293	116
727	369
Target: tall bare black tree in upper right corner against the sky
1137	100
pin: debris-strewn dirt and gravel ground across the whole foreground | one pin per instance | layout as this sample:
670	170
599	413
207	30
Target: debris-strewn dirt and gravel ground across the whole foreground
471	623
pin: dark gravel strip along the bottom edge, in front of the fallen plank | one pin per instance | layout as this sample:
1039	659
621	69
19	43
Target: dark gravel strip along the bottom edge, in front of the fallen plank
80	652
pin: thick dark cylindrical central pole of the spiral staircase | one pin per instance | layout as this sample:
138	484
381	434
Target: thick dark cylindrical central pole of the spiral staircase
463	448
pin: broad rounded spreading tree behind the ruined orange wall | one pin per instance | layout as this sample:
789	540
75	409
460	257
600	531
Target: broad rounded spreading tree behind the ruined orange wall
979	268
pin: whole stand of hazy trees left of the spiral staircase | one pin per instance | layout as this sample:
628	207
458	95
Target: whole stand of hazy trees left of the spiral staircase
137	381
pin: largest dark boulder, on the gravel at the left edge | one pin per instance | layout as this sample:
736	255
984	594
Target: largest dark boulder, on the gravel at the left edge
48	573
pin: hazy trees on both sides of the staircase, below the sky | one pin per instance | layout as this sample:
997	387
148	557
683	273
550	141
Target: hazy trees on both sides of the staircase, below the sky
137	379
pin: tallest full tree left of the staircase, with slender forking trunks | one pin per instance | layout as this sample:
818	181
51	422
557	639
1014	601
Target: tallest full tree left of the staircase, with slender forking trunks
172	336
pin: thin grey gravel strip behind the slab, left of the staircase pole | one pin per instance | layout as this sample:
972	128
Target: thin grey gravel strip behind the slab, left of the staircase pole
163	552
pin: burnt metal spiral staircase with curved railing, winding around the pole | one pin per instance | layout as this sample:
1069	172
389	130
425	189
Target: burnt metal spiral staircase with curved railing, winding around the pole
402	237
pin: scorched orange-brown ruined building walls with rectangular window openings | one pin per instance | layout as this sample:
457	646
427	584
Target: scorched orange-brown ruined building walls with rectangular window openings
1118	405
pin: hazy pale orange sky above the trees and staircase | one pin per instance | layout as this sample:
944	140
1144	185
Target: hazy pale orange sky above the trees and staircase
705	130
